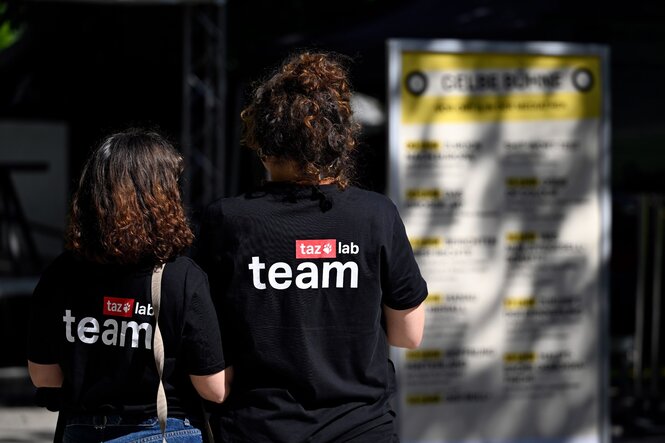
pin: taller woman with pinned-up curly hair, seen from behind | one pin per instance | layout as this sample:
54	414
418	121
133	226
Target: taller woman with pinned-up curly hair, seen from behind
313	276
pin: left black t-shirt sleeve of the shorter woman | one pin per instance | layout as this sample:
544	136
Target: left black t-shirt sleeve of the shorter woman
44	323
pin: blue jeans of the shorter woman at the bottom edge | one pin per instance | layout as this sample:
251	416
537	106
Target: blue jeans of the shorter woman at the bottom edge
116	429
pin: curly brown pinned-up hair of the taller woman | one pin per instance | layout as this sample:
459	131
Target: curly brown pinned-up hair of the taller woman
303	113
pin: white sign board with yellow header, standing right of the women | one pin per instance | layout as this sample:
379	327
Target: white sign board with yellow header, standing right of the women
499	166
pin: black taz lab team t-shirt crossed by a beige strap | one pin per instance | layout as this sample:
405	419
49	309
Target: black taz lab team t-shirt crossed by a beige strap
97	322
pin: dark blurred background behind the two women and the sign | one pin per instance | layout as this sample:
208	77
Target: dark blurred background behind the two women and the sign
72	71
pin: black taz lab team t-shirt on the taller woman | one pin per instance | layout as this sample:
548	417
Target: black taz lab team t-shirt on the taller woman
299	275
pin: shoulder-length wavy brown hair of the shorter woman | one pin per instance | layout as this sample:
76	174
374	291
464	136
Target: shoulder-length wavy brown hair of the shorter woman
127	208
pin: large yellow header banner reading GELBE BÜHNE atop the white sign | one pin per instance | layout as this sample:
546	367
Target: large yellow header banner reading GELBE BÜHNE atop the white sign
439	88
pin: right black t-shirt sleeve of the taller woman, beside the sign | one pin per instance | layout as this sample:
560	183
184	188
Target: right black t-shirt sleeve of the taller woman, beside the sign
402	283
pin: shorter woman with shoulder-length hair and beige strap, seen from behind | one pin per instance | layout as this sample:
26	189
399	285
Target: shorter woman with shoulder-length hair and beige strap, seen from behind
93	327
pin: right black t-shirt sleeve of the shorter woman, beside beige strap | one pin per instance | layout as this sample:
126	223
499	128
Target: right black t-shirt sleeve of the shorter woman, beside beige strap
201	337
